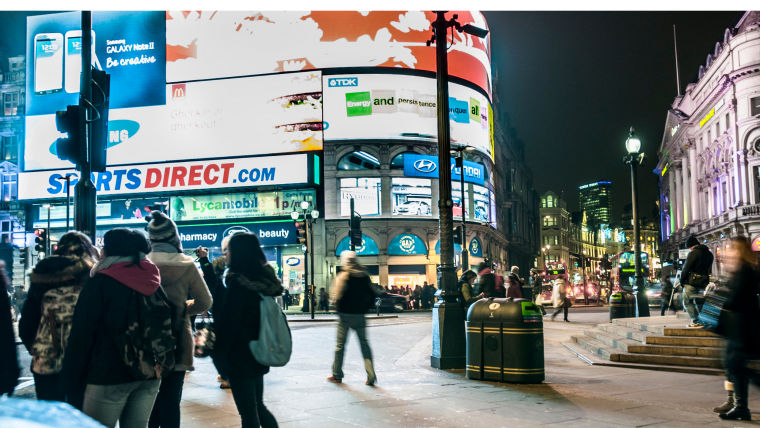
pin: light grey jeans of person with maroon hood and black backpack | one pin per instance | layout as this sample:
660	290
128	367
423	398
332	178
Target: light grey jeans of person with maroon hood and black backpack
127	403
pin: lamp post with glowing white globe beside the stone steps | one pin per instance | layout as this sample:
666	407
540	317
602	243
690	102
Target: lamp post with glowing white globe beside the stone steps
634	158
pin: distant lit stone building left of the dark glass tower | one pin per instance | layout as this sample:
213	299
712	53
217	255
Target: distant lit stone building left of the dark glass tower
555	230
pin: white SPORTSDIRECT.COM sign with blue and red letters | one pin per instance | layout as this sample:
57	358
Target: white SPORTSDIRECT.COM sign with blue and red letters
181	176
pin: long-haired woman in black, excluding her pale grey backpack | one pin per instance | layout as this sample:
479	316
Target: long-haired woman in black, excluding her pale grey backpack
250	279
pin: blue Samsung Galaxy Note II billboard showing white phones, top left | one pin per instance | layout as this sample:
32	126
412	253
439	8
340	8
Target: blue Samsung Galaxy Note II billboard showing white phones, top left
130	46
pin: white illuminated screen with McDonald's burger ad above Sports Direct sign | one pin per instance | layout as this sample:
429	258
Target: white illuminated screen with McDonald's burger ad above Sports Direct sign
280	113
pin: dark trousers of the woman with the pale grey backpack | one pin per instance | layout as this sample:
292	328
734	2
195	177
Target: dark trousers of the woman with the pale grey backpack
249	399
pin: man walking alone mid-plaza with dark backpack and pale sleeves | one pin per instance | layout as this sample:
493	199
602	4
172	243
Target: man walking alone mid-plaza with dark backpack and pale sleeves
353	298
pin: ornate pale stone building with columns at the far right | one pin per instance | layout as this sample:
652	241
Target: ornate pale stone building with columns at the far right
709	158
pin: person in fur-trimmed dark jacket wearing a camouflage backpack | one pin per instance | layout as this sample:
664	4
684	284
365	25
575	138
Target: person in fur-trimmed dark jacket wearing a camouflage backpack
56	283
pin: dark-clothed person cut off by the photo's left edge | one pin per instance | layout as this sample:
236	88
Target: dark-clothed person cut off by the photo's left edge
9	369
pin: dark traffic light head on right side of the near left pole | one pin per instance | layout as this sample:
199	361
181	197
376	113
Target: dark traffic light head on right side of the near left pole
101	92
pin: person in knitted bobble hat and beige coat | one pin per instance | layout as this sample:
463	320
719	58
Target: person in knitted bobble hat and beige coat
179	278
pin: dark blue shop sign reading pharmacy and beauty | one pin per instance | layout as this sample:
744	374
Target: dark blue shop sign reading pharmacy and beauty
269	233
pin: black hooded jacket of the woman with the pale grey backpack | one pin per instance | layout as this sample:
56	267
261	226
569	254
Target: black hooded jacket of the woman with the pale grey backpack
240	320
